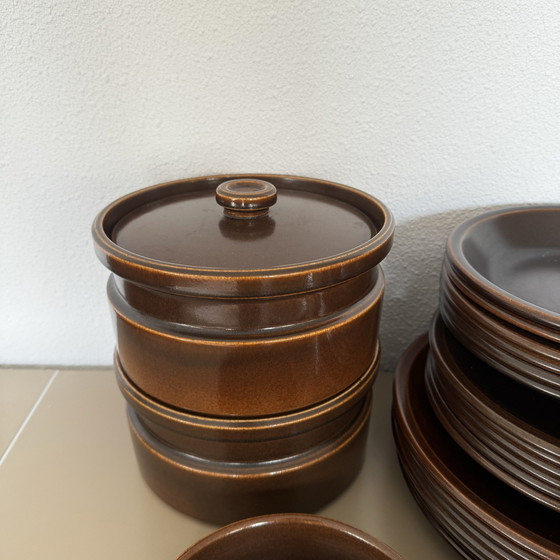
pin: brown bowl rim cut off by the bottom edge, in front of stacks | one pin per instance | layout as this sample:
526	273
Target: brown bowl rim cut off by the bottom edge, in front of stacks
287	537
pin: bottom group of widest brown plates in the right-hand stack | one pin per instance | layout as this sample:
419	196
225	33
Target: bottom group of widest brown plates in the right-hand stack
481	516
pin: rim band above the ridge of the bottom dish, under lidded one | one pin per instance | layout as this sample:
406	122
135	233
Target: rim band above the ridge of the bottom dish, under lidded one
247	440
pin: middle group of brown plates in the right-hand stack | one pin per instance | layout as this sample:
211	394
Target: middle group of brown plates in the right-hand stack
507	428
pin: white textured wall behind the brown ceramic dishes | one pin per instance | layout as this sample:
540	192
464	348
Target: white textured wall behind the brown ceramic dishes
438	108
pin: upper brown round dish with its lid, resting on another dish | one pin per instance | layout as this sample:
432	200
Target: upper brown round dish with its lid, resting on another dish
269	306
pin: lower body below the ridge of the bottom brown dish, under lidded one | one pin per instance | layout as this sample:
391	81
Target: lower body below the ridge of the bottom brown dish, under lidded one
223	492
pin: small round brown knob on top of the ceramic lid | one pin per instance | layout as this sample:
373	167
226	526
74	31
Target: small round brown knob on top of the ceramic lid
246	198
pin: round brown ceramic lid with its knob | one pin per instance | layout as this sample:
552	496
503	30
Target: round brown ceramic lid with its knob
250	235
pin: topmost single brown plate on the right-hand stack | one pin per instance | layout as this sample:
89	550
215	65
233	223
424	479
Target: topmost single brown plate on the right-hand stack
510	257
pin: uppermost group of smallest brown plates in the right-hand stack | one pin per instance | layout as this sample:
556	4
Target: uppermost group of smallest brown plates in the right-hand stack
500	292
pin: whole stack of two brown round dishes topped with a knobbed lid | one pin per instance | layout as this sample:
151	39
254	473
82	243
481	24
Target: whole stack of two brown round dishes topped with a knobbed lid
246	312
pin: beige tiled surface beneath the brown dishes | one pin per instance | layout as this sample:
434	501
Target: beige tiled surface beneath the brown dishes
70	487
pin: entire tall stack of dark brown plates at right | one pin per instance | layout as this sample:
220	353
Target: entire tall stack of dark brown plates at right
476	404
